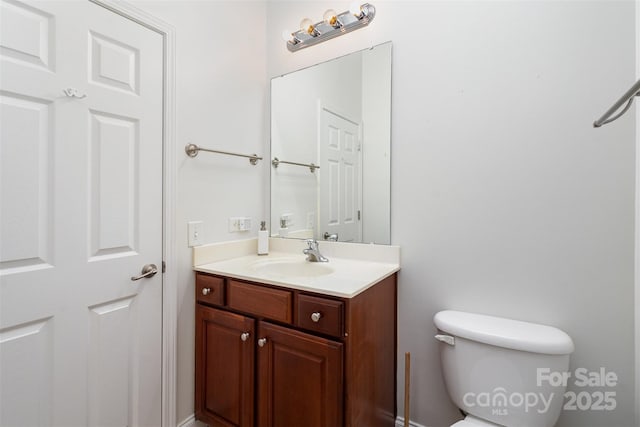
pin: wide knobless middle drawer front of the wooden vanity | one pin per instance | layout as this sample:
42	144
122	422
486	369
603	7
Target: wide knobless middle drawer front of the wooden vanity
260	301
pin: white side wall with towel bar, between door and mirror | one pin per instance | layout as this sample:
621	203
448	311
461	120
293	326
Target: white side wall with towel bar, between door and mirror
221	87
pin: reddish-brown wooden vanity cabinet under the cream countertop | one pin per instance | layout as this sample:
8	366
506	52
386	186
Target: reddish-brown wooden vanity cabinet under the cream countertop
268	356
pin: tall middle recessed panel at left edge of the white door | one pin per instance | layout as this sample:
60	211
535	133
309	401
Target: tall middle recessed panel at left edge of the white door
25	174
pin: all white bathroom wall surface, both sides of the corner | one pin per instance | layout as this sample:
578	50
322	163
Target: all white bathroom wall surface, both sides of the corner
504	199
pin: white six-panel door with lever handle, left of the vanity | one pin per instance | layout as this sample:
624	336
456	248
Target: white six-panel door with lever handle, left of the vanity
81	93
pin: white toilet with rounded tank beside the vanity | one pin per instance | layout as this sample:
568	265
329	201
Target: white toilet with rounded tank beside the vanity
503	372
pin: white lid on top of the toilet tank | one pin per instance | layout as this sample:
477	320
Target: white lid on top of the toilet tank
506	333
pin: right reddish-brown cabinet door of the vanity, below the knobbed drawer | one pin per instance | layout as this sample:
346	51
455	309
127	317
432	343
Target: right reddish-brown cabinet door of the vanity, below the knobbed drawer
299	379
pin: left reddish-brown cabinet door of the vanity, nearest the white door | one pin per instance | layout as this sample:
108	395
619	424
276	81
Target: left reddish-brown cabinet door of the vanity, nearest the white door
224	368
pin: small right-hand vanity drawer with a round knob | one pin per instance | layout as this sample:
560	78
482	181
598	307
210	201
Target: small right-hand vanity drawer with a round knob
320	314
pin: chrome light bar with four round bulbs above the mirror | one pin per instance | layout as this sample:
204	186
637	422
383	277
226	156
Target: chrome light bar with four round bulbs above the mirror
332	25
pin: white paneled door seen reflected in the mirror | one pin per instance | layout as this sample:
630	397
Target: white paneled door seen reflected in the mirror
340	203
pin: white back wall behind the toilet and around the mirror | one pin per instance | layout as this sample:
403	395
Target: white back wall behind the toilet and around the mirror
504	199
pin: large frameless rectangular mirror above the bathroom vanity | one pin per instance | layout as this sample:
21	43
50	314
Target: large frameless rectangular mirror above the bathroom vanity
331	150
